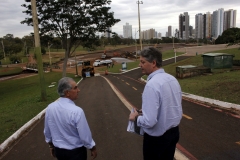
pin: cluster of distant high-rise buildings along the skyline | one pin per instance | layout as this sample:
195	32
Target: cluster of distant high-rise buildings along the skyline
208	25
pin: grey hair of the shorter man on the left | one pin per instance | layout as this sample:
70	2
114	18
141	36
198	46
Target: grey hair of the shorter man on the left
64	85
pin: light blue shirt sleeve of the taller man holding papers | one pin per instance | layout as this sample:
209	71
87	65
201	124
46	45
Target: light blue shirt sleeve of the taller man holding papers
150	108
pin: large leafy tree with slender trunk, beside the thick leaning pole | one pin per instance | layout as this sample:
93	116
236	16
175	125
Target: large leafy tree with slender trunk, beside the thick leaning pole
74	21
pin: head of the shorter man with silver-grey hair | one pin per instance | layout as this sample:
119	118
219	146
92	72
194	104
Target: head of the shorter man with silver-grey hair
68	88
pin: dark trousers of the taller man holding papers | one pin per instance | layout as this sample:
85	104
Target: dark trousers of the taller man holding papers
162	147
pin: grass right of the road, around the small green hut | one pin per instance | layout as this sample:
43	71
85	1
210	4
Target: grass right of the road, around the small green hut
223	84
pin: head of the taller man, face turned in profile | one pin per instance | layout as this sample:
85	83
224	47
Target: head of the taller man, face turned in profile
150	60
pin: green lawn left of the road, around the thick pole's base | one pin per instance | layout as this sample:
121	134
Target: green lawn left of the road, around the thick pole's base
20	101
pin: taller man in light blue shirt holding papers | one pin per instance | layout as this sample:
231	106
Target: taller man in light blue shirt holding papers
161	108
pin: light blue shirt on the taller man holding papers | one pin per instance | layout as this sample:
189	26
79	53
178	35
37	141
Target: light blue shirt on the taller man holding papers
161	103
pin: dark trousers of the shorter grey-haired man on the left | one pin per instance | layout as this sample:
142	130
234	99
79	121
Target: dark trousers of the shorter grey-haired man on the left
75	154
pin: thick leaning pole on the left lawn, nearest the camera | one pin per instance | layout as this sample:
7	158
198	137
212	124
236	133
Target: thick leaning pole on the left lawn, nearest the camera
38	51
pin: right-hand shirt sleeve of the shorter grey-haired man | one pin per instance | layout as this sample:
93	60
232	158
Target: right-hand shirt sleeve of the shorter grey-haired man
84	131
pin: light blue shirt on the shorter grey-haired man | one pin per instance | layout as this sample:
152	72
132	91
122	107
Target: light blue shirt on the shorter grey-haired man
66	125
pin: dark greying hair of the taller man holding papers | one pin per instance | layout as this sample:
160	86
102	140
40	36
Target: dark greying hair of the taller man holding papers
151	54
